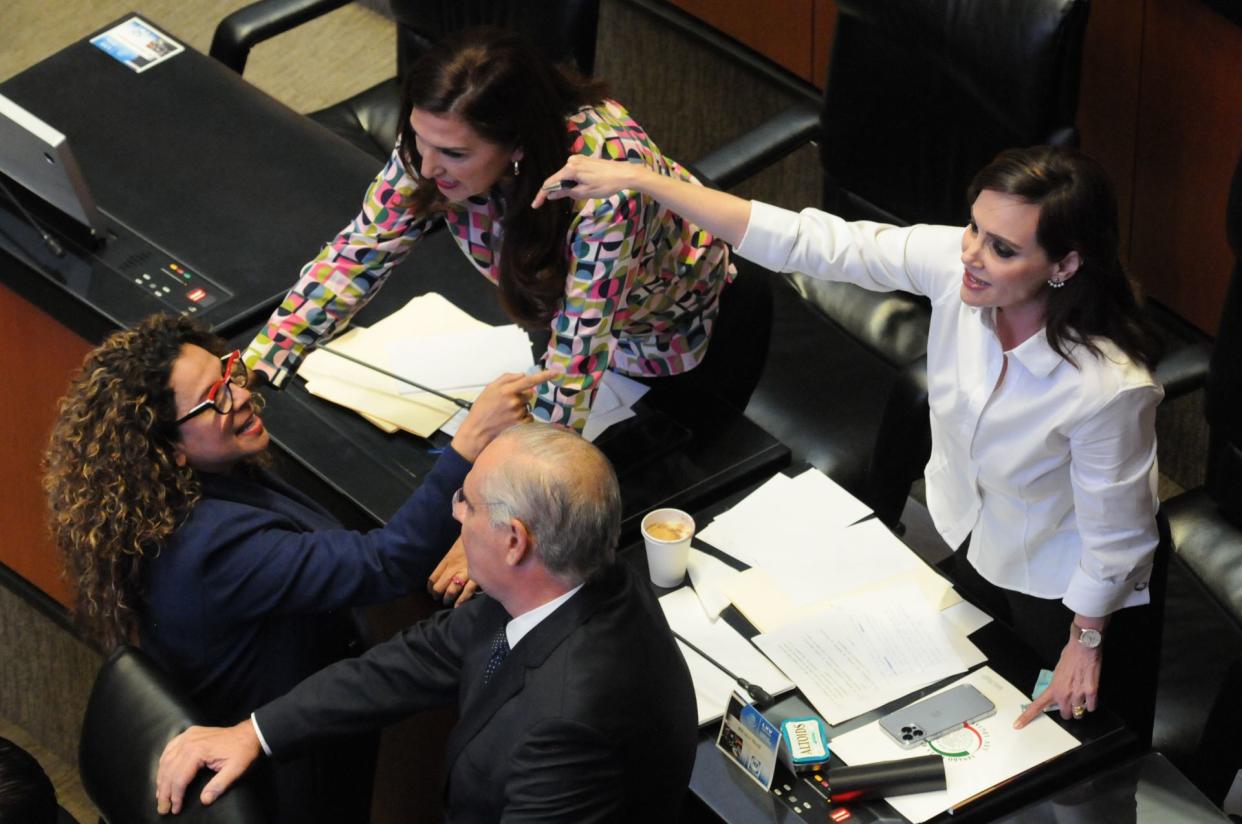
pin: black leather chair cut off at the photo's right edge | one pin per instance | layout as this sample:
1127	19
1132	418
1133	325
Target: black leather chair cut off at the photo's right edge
1204	628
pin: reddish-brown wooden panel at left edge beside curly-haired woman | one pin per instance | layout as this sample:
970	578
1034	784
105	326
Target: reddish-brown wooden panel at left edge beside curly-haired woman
37	361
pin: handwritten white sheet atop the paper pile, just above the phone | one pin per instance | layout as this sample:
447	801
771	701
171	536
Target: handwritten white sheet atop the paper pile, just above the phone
864	652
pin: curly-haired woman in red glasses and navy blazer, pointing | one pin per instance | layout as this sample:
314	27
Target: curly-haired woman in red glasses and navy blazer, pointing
179	540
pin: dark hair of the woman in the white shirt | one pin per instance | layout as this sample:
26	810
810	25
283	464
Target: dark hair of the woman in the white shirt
1077	214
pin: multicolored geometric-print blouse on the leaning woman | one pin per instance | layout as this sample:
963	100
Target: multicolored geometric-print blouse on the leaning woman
641	293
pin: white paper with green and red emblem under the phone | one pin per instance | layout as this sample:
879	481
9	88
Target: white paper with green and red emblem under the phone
977	759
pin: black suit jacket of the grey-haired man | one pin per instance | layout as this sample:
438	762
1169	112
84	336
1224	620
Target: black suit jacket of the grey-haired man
591	719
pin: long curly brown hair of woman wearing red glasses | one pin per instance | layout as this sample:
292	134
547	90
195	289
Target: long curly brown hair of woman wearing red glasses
115	489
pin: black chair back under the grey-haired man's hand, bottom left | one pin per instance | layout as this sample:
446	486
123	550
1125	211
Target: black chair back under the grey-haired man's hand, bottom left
135	710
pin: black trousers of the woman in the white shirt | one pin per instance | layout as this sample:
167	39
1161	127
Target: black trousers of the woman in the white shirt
1132	642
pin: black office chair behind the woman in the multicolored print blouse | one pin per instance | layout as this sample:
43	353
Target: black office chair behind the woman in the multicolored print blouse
564	29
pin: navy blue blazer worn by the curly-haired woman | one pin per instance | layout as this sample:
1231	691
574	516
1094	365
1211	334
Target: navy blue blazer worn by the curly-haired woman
239	605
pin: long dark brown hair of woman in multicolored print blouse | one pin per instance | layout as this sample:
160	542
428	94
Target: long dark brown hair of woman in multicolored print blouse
512	96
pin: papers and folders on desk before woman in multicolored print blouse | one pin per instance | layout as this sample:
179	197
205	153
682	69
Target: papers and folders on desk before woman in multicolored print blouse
429	341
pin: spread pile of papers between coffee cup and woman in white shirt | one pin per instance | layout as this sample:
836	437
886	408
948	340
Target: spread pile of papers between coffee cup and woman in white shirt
848	611
